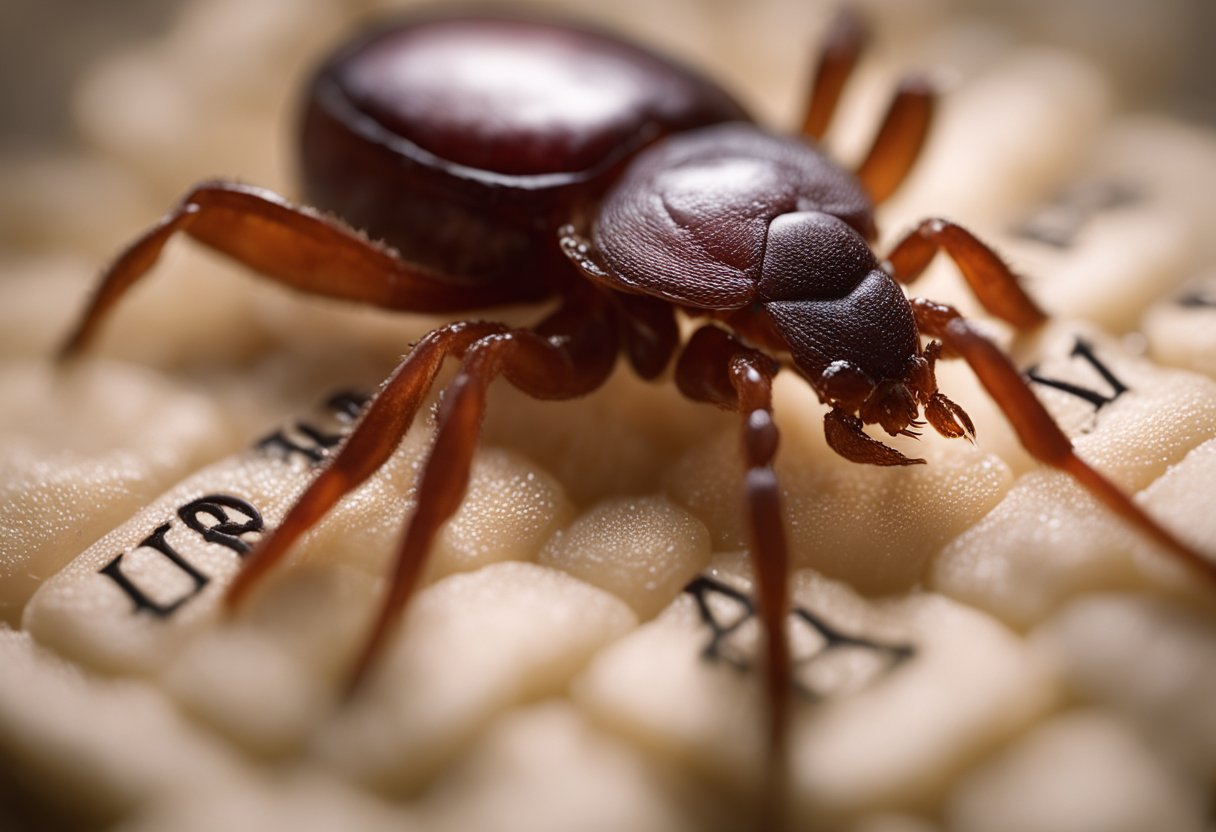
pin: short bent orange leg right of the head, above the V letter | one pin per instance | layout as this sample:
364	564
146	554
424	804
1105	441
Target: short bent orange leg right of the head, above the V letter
992	280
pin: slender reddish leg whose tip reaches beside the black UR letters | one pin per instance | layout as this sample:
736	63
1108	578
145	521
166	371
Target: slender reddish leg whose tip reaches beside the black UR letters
374	440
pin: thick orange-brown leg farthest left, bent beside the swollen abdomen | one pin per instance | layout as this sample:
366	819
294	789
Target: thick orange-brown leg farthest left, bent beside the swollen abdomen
292	245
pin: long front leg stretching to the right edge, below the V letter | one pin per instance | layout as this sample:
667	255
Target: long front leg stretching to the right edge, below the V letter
1035	428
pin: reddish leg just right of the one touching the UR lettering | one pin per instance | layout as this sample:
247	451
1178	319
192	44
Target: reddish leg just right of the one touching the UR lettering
568	356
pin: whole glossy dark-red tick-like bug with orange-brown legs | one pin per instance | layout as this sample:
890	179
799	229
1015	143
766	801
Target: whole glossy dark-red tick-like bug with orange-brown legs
506	161
